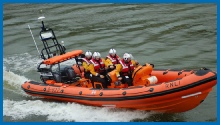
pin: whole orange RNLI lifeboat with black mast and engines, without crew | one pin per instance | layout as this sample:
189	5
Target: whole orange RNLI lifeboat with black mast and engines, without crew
160	90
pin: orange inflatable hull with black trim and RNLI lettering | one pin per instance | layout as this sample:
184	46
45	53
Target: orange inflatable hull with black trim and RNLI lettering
175	91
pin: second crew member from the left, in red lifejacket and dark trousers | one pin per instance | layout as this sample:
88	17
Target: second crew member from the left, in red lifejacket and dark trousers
97	69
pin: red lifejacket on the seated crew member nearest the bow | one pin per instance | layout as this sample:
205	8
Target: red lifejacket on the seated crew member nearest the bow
125	67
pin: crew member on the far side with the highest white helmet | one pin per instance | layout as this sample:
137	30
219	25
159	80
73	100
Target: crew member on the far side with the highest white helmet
111	60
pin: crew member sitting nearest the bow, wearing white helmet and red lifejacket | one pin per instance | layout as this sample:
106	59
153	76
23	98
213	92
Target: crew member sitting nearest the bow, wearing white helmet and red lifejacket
125	69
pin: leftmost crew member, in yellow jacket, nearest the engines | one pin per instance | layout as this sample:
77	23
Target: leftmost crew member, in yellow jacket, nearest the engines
86	62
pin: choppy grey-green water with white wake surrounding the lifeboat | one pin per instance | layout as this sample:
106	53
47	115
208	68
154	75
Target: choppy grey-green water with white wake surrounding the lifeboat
167	35
